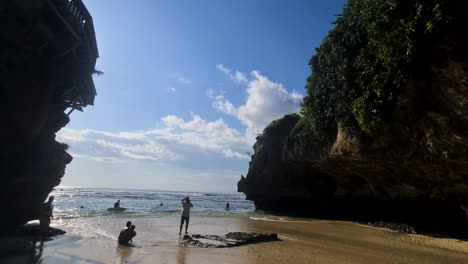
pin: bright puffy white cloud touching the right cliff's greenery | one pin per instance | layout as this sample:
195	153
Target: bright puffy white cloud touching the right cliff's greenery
266	101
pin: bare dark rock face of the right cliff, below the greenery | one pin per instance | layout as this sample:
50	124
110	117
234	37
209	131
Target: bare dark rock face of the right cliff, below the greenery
413	169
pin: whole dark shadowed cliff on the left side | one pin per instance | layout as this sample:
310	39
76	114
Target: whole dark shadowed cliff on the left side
47	58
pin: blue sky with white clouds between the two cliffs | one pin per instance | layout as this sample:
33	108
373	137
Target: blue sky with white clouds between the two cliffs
186	87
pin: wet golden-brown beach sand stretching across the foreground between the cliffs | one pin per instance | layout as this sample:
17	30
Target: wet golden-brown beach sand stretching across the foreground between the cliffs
93	241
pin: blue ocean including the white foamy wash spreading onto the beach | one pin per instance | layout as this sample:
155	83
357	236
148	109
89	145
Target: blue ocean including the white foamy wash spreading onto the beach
83	214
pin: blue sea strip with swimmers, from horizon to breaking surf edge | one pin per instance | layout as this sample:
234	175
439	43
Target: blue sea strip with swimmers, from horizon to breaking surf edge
72	202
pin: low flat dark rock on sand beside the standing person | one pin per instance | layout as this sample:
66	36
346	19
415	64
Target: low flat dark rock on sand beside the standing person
232	239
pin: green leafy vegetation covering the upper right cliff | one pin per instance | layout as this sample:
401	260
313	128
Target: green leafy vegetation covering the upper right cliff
365	62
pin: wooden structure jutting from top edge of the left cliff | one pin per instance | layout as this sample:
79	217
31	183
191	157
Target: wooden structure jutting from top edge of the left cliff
81	46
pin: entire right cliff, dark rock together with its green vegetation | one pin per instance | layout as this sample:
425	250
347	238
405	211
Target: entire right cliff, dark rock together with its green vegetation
383	130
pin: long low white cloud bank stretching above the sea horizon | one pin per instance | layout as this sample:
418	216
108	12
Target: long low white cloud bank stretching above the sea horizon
171	143
